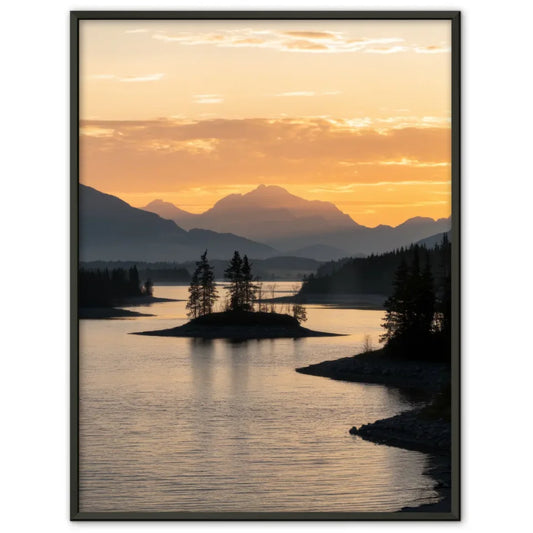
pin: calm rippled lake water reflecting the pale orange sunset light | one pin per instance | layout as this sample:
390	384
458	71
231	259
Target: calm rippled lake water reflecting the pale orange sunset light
175	424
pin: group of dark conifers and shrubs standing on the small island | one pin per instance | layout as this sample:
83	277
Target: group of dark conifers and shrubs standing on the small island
243	290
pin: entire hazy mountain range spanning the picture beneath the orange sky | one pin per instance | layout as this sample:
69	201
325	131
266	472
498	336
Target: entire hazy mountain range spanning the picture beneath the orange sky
266	222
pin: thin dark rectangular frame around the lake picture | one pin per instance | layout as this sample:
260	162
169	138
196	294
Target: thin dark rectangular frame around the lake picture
75	18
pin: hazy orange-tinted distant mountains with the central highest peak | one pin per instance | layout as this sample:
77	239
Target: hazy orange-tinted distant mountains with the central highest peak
272	215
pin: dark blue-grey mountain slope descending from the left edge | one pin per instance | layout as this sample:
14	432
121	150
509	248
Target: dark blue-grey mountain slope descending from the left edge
111	229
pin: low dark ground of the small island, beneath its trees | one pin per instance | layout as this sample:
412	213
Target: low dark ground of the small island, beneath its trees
240	325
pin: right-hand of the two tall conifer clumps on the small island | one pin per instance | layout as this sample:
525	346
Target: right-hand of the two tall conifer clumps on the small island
241	289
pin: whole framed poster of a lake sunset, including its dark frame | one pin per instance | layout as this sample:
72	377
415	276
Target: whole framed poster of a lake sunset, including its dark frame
265	265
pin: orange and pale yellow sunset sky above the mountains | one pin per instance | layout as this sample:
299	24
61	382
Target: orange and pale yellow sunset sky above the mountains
353	112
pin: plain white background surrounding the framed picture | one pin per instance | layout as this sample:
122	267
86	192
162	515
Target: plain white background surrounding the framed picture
497	296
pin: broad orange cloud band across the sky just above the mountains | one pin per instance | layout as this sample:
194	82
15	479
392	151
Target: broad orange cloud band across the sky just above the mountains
214	151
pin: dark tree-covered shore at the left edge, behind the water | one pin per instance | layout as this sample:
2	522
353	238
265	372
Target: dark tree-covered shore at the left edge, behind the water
104	288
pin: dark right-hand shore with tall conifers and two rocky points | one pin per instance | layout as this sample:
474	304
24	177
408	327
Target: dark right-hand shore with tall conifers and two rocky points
416	356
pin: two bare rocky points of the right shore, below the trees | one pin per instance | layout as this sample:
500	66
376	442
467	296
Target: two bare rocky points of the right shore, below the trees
410	430
